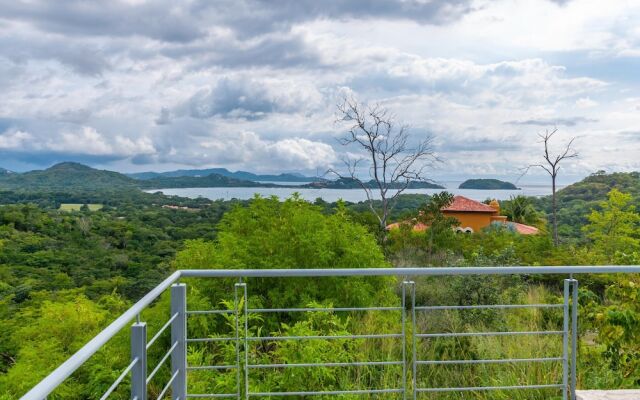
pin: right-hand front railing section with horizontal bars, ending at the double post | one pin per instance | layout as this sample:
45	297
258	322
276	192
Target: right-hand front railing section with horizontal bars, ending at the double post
452	361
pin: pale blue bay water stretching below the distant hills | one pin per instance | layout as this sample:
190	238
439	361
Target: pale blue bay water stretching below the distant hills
351	195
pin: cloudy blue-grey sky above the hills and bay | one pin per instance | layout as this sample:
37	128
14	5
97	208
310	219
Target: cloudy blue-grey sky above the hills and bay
135	85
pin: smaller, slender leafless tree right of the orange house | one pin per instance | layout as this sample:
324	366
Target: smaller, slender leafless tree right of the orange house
552	167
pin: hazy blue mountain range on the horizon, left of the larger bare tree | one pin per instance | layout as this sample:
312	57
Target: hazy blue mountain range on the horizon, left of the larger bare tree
241	175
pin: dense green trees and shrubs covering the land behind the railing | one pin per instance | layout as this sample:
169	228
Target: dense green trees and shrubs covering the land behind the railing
64	275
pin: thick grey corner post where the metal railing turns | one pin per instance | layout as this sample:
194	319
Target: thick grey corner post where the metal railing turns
179	336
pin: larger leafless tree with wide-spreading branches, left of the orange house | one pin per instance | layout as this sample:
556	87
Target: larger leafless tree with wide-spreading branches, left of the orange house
393	162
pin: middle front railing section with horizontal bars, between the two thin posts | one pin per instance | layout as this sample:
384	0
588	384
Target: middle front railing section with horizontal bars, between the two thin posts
323	341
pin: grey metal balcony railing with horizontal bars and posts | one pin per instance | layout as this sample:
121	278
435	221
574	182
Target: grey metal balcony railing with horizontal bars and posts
408	338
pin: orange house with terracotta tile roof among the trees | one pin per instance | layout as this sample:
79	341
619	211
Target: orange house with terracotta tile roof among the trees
474	216
